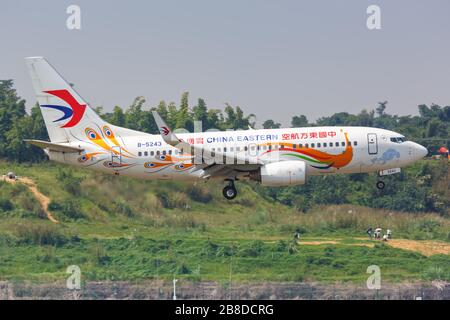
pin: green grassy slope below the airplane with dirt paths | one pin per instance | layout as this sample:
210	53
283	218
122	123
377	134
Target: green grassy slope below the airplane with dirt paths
122	229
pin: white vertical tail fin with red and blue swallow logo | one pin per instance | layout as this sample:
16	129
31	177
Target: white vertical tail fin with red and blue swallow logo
64	111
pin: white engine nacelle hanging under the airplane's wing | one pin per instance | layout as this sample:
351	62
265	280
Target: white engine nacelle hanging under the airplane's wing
282	173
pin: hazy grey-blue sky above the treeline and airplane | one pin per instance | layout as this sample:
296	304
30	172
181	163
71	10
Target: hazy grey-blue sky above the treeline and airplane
273	58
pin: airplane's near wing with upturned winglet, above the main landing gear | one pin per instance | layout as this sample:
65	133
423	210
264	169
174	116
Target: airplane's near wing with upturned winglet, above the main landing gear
208	162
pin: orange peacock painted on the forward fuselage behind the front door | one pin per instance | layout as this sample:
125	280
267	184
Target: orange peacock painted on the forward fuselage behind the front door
317	159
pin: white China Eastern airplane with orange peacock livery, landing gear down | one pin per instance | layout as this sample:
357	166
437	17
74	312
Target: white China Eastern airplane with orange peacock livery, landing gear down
272	157
